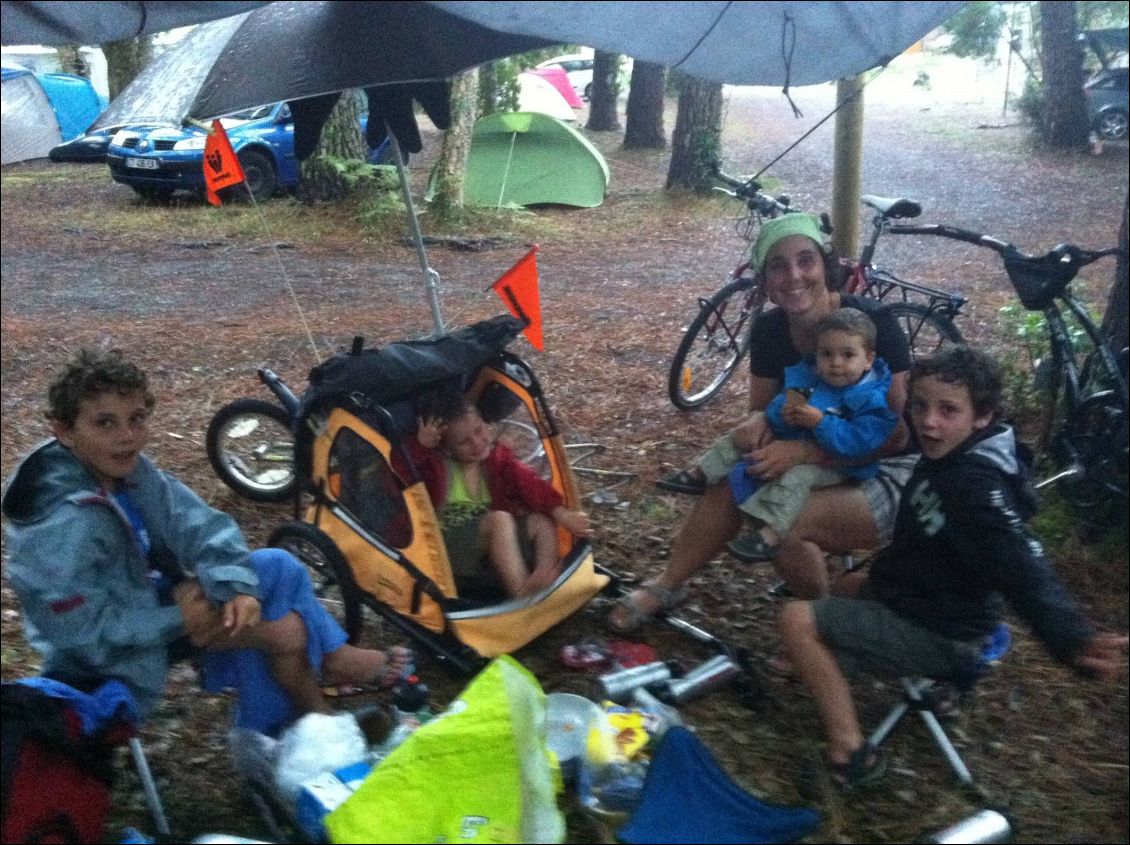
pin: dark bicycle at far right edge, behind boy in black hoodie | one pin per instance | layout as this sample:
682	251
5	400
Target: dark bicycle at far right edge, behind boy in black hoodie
1084	432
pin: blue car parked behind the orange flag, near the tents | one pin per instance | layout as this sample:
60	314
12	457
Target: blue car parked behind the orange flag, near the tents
157	162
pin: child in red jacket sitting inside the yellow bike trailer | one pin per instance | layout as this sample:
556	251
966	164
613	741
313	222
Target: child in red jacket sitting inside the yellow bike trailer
497	513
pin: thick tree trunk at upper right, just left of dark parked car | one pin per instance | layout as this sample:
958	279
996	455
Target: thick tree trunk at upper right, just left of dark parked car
1066	108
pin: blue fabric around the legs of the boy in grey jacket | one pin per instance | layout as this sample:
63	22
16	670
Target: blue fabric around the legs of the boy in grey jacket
285	587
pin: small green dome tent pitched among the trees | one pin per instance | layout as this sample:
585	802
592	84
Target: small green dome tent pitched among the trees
526	159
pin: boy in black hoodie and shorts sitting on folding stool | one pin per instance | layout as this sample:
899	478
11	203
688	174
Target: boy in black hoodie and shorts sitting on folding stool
935	595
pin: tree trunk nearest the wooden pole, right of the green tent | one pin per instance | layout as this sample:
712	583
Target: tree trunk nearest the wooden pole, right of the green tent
698	136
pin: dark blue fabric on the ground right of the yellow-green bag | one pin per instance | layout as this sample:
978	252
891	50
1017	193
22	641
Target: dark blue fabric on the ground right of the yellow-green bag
688	798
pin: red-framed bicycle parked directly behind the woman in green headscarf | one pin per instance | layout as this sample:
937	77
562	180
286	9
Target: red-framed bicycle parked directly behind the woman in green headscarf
718	338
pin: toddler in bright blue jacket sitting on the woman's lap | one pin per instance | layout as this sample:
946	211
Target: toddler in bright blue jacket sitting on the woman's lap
840	400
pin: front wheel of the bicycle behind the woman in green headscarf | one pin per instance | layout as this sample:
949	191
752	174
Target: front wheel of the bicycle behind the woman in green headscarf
714	345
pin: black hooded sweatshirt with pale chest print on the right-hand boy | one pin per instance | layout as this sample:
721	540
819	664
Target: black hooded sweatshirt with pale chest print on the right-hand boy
961	545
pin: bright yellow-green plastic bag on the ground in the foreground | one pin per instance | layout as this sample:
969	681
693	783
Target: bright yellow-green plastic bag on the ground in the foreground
480	772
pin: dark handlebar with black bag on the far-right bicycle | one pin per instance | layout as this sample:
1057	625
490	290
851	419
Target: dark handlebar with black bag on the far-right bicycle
1039	280
